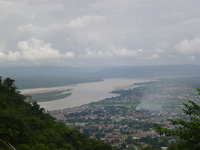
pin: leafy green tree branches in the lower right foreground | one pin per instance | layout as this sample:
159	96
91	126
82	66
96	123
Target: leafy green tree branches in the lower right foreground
188	132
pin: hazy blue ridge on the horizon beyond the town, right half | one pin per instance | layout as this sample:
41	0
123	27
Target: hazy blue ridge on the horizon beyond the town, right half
150	71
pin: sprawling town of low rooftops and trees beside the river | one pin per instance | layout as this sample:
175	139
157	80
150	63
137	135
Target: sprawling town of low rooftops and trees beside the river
127	121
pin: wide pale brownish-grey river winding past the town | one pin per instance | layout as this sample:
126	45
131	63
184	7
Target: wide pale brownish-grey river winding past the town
85	93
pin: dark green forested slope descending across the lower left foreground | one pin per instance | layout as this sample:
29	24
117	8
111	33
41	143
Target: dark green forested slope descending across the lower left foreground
27	127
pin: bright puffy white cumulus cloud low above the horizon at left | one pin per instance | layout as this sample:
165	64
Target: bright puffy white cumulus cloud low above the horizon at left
34	50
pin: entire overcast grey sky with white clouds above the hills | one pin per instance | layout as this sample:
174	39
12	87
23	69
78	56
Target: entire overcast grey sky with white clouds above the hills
99	32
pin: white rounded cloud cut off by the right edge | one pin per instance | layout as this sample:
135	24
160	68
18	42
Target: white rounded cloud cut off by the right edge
188	47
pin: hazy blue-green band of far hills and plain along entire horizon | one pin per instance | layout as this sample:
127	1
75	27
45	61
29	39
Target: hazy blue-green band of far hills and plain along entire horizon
48	76
